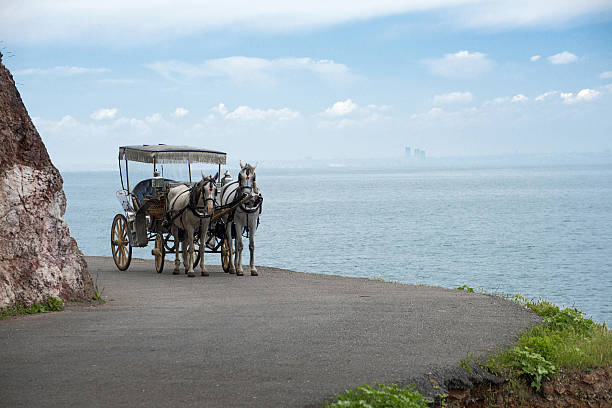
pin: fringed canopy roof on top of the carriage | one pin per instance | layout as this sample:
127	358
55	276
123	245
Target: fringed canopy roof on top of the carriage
170	154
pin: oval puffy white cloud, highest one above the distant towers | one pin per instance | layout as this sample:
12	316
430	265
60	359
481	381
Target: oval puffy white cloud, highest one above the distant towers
462	64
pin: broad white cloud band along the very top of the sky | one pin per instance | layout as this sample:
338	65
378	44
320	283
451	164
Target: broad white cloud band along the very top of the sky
146	21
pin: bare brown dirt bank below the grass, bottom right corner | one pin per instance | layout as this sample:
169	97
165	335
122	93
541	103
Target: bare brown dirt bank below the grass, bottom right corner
590	388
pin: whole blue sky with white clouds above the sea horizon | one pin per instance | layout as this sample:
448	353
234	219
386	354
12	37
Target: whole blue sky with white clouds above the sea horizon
271	80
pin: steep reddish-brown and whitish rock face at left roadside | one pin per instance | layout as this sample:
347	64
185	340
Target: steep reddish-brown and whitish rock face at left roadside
38	257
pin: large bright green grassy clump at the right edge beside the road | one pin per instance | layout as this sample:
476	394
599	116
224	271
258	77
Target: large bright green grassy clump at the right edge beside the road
567	339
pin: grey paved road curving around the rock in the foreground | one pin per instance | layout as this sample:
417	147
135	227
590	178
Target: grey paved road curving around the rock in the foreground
282	339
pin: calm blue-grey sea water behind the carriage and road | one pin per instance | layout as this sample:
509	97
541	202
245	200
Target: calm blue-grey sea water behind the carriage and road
541	232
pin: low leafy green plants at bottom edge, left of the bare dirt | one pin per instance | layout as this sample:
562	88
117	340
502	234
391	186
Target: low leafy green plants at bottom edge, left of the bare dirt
381	396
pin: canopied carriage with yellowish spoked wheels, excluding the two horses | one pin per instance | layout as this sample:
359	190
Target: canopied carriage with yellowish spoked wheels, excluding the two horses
144	206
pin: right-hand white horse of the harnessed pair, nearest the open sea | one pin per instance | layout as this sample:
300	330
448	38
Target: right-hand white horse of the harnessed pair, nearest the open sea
245	215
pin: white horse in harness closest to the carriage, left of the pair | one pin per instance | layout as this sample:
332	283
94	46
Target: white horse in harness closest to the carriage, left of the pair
187	208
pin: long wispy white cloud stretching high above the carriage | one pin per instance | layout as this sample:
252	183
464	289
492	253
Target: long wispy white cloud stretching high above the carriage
251	69
